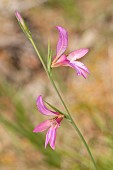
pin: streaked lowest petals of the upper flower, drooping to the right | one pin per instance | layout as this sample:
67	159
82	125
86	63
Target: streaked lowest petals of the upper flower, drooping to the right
80	68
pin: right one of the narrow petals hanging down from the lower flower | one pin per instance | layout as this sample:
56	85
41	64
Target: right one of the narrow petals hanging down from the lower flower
53	137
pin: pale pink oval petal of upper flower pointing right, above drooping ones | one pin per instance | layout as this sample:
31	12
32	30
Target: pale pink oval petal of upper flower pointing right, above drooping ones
77	54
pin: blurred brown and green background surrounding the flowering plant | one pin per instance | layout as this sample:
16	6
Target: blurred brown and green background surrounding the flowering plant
22	79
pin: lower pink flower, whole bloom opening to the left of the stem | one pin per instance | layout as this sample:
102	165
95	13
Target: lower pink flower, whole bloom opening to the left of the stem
50	124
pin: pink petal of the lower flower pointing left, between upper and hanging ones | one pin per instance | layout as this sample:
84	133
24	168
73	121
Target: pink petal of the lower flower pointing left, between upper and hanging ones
42	126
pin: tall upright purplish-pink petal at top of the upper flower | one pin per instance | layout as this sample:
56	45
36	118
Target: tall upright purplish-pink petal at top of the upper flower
62	42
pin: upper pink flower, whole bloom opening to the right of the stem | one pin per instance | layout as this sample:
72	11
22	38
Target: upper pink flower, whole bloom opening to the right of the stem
70	60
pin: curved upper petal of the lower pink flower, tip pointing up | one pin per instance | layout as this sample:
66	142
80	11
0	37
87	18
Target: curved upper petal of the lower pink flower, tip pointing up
42	108
